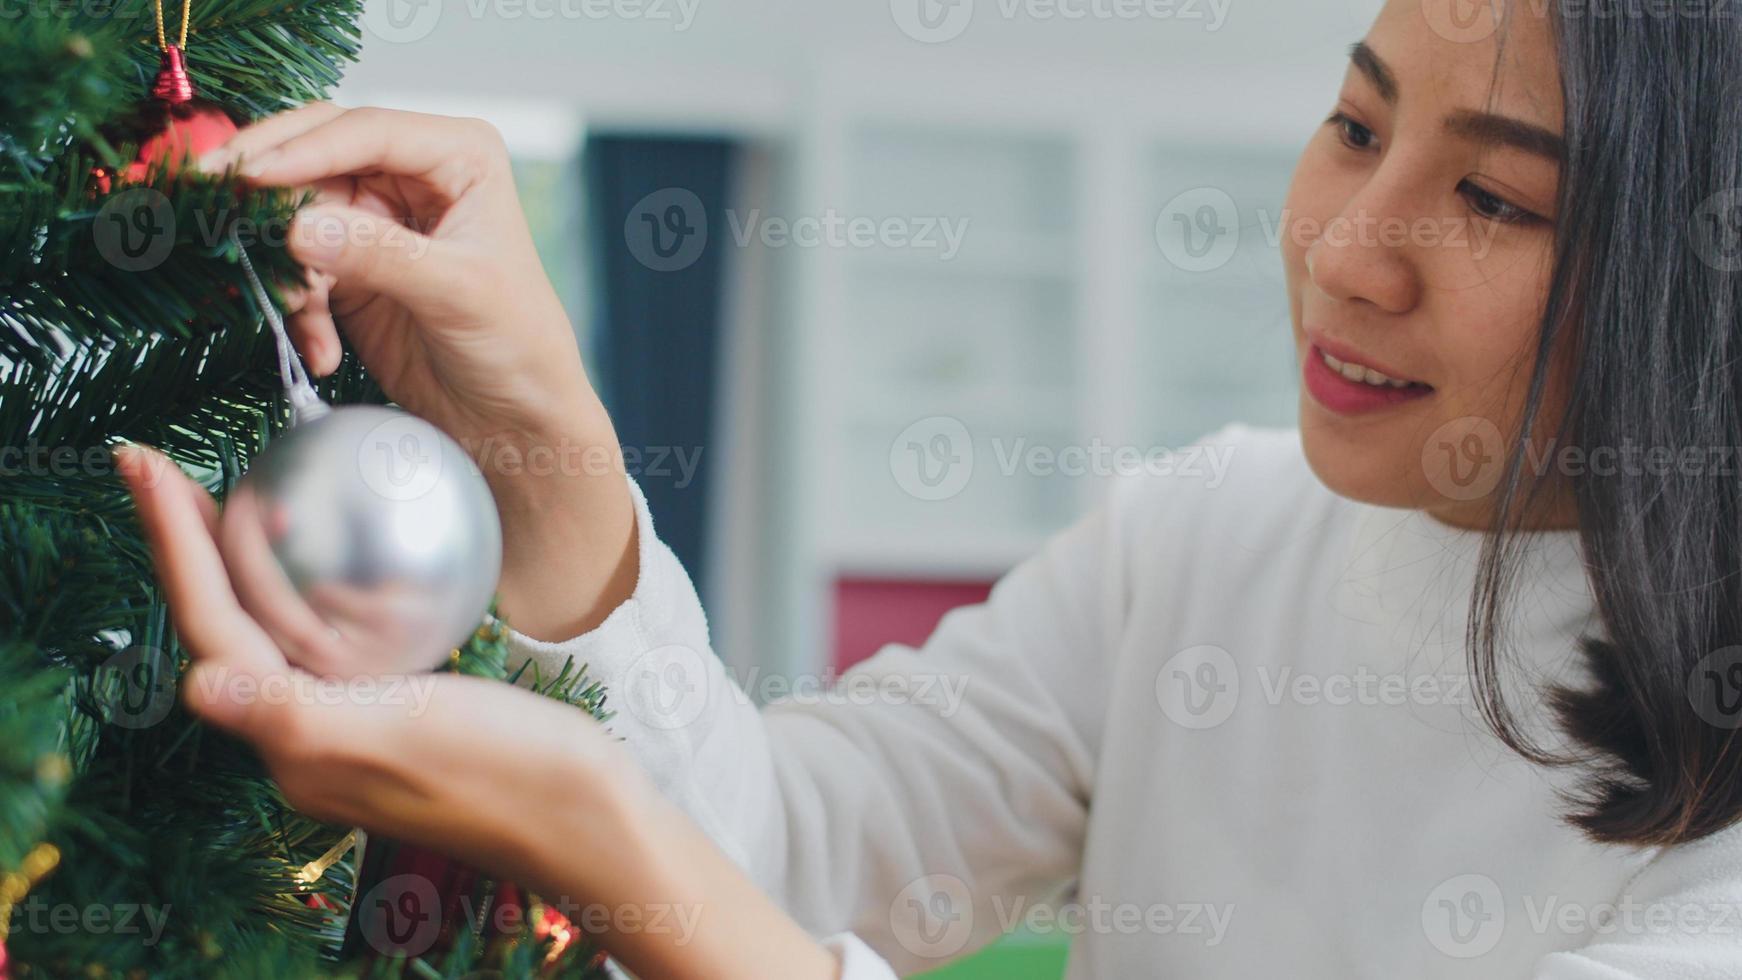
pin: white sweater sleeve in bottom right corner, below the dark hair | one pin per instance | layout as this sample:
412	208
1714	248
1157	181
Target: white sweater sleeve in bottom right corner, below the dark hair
1680	920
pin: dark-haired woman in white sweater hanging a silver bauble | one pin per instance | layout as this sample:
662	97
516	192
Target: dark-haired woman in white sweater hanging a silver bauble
1422	690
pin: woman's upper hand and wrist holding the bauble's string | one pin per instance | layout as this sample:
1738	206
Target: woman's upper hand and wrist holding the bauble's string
422	257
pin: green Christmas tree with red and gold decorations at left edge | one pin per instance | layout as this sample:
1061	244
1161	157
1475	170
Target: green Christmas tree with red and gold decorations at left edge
137	842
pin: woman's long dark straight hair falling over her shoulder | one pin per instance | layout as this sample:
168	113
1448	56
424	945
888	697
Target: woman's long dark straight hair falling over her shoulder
1645	321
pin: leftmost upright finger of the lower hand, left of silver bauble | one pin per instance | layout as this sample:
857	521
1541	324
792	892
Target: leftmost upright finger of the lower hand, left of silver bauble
198	587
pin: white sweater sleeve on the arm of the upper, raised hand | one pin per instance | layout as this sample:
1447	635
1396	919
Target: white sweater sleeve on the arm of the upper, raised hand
921	795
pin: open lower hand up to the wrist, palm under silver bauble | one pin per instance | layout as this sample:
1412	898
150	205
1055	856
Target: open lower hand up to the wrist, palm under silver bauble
415	756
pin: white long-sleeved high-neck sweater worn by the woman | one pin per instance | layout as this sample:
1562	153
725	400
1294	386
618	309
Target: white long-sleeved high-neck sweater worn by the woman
1212	732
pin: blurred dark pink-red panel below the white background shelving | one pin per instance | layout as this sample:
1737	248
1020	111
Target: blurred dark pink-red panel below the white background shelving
875	612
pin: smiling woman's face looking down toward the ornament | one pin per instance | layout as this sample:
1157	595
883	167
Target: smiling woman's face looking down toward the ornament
1419	257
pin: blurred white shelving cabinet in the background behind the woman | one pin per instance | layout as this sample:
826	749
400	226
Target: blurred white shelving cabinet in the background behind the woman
1062	323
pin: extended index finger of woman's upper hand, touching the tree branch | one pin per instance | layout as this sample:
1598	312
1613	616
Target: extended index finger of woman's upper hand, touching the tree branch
433	149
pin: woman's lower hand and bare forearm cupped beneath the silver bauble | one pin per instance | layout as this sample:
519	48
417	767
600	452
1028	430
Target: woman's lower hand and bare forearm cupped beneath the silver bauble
520	786
